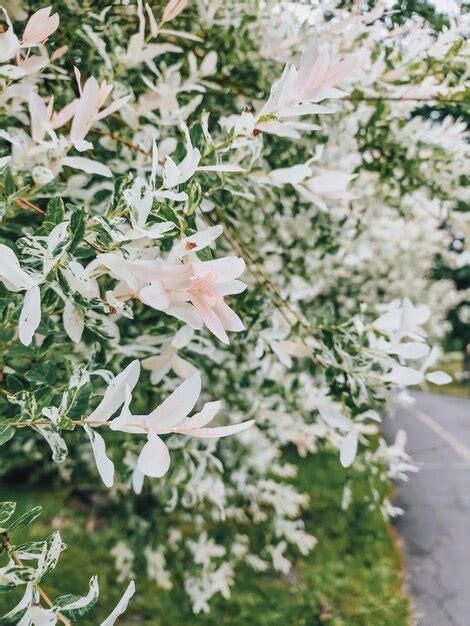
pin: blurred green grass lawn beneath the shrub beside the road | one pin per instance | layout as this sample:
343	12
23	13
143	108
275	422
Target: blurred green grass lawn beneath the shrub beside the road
353	577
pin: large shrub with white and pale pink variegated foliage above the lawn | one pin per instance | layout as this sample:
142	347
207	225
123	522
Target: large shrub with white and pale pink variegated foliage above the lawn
197	200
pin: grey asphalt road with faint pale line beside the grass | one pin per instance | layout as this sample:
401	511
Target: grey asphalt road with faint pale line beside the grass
436	523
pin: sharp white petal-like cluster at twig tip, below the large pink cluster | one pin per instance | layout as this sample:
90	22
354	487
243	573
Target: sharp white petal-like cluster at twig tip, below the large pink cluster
171	416
